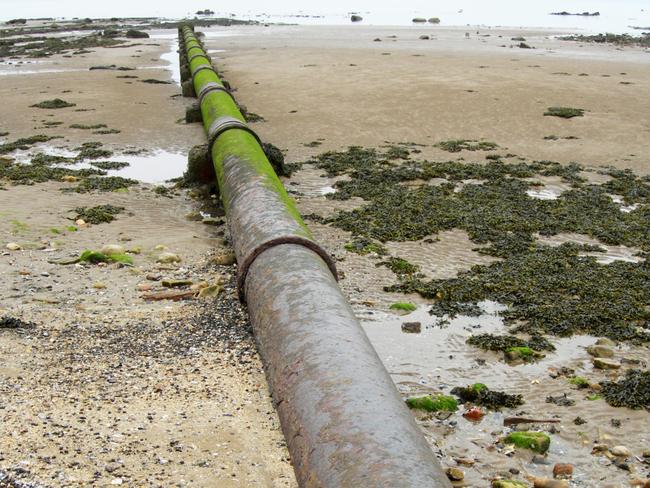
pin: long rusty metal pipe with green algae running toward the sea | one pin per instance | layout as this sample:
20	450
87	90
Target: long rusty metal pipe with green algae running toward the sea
344	421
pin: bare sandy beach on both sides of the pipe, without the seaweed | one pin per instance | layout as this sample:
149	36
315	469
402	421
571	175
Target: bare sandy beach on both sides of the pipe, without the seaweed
102	387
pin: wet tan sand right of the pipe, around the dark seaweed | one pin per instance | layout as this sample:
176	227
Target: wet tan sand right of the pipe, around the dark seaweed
339	87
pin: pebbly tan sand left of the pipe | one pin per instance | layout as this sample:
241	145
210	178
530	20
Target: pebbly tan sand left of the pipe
105	388
